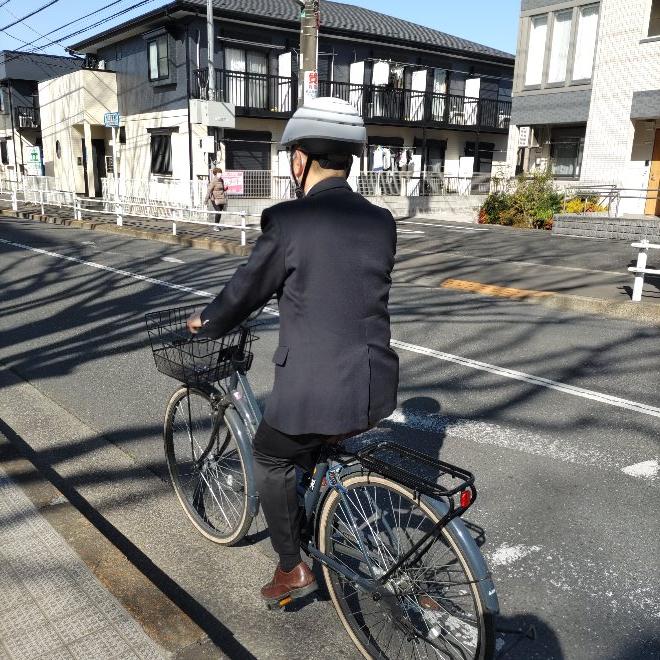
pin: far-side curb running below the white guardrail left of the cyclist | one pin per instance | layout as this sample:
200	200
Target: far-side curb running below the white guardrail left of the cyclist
214	245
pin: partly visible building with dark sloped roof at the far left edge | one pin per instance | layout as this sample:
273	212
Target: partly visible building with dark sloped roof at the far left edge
20	123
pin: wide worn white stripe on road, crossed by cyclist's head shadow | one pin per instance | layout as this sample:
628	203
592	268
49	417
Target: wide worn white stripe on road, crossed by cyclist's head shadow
494	435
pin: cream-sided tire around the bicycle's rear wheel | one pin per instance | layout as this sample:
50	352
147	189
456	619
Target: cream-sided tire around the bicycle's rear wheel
368	646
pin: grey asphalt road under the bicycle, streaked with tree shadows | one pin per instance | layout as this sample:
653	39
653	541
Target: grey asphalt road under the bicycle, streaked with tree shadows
557	414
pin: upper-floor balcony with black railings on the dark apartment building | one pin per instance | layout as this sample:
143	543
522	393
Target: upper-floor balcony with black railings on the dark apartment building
262	95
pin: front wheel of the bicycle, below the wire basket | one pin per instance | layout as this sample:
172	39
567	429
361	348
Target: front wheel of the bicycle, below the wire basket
228	484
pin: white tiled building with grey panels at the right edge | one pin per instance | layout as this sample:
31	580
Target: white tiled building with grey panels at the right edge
586	98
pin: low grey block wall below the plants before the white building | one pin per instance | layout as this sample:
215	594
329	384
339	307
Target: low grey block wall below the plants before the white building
600	226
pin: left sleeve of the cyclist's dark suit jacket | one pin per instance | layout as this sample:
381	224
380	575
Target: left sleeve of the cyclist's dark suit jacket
252	284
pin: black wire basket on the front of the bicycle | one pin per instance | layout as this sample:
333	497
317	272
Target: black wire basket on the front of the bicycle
191	359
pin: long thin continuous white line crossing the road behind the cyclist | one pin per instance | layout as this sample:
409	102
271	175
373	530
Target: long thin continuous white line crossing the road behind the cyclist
421	350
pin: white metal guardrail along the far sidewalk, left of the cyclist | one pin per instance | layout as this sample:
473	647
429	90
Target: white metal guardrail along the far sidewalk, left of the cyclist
16	192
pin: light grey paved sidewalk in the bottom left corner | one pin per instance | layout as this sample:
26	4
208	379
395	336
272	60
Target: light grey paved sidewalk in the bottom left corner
52	605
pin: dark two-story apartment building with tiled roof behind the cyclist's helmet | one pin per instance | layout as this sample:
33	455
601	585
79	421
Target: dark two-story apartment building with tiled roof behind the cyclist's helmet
428	98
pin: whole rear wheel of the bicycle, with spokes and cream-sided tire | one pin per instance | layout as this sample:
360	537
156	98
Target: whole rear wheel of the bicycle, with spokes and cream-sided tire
433	608
